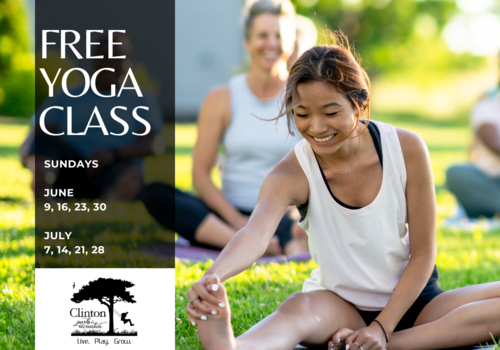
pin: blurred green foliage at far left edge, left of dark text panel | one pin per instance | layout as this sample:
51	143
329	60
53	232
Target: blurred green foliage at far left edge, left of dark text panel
16	61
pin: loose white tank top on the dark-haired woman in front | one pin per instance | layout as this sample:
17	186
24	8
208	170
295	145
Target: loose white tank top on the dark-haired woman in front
361	253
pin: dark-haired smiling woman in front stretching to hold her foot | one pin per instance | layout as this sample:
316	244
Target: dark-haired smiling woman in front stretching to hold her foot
376	283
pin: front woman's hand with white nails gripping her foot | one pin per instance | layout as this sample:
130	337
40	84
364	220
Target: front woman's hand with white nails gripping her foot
201	302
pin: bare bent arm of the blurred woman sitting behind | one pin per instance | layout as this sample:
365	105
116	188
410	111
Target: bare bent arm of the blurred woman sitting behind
214	118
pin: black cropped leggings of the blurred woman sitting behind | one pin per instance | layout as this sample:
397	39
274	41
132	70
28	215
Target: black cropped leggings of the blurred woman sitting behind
190	212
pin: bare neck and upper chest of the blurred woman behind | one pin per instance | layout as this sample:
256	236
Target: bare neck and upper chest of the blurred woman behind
267	83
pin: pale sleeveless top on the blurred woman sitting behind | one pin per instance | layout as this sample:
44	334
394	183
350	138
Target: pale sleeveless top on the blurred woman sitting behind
251	147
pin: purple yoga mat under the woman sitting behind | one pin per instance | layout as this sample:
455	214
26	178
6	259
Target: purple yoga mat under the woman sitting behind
199	254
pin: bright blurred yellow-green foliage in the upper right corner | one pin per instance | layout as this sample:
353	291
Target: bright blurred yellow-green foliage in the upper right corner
432	59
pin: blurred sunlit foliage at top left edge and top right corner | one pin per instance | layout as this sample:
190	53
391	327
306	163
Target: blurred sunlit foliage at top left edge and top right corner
429	59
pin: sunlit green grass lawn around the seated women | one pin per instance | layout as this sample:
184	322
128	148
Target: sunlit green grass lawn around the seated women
464	258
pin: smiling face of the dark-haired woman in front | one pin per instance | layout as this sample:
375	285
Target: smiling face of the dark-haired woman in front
324	117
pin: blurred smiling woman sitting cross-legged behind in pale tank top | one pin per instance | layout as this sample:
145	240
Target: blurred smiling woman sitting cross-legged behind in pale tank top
231	116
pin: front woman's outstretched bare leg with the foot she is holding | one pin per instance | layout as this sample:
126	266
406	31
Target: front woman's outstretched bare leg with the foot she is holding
308	318
